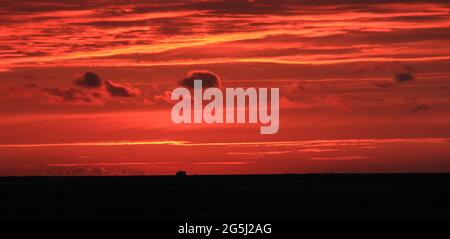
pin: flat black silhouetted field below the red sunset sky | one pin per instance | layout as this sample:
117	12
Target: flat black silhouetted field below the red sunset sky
216	197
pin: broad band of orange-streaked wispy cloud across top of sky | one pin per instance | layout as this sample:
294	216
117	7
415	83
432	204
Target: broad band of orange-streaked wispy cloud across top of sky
172	34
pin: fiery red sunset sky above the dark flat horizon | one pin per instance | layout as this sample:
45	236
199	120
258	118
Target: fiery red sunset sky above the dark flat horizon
85	86
